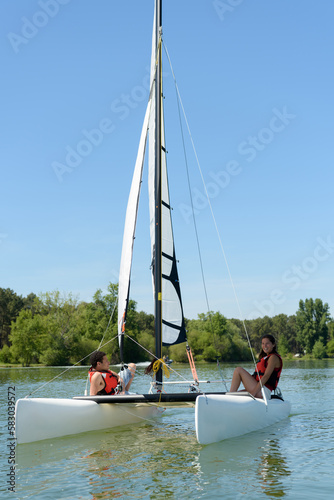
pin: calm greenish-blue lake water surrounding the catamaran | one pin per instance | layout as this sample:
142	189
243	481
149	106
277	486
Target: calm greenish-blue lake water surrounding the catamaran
162	459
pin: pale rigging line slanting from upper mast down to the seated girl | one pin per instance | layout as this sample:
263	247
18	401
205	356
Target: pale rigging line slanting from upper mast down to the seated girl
212	213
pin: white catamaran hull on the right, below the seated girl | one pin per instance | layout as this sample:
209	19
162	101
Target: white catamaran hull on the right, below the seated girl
219	417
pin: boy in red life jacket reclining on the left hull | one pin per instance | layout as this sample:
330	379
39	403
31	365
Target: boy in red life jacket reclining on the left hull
106	382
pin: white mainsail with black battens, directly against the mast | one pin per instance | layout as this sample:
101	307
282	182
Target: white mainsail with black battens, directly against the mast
173	327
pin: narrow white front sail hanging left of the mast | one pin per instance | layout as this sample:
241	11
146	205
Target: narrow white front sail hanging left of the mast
130	228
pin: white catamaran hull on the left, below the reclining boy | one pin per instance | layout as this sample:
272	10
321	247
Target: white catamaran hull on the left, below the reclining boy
45	418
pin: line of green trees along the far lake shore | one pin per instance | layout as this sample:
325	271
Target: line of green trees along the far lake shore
54	329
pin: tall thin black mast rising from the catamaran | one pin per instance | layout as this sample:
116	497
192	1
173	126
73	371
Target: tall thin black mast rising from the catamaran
158	246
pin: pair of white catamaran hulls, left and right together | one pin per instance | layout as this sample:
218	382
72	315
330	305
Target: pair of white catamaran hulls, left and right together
217	416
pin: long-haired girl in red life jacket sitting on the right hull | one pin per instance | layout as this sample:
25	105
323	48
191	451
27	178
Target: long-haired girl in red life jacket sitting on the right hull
268	370
